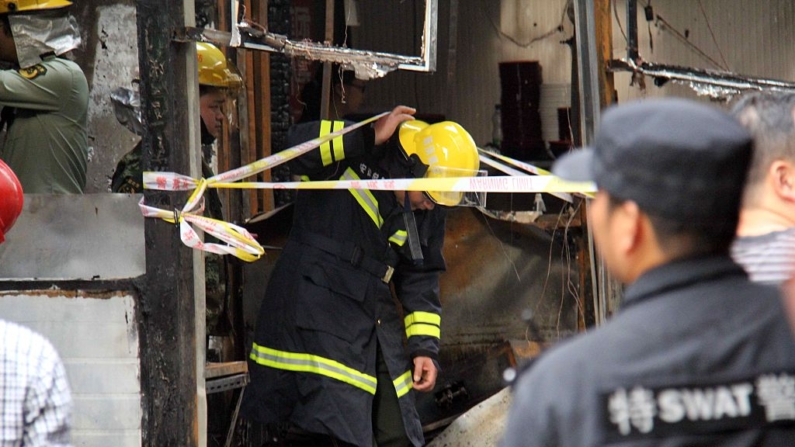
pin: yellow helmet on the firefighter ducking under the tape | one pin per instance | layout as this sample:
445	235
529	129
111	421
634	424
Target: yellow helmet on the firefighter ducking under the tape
447	149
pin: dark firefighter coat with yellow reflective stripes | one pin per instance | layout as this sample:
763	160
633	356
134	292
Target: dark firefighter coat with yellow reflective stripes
313	361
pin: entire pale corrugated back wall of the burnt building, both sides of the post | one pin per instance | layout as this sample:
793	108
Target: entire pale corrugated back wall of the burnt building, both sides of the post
756	39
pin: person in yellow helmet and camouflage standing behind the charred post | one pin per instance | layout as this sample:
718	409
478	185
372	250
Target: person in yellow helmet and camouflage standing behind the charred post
218	80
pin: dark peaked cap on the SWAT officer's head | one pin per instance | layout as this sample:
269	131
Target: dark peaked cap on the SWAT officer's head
675	158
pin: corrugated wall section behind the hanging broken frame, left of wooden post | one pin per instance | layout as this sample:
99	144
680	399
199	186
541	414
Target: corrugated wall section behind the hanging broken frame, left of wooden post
488	32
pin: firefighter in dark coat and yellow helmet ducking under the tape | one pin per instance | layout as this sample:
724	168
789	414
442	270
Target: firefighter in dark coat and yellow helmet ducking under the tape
333	355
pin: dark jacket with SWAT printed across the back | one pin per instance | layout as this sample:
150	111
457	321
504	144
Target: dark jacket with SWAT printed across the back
697	356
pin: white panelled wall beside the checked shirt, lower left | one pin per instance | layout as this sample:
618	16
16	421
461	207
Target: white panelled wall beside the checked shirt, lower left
97	339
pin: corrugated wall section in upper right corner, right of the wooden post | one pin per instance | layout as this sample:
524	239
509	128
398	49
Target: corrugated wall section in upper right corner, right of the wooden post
749	38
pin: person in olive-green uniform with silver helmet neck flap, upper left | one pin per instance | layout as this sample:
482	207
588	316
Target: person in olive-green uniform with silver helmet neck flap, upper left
44	97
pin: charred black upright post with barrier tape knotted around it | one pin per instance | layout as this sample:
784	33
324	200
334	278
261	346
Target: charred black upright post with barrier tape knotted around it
166	310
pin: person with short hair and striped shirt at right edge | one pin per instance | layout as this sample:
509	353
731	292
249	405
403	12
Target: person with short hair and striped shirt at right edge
765	244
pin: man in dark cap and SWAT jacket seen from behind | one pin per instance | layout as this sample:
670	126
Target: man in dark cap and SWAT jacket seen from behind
698	354
